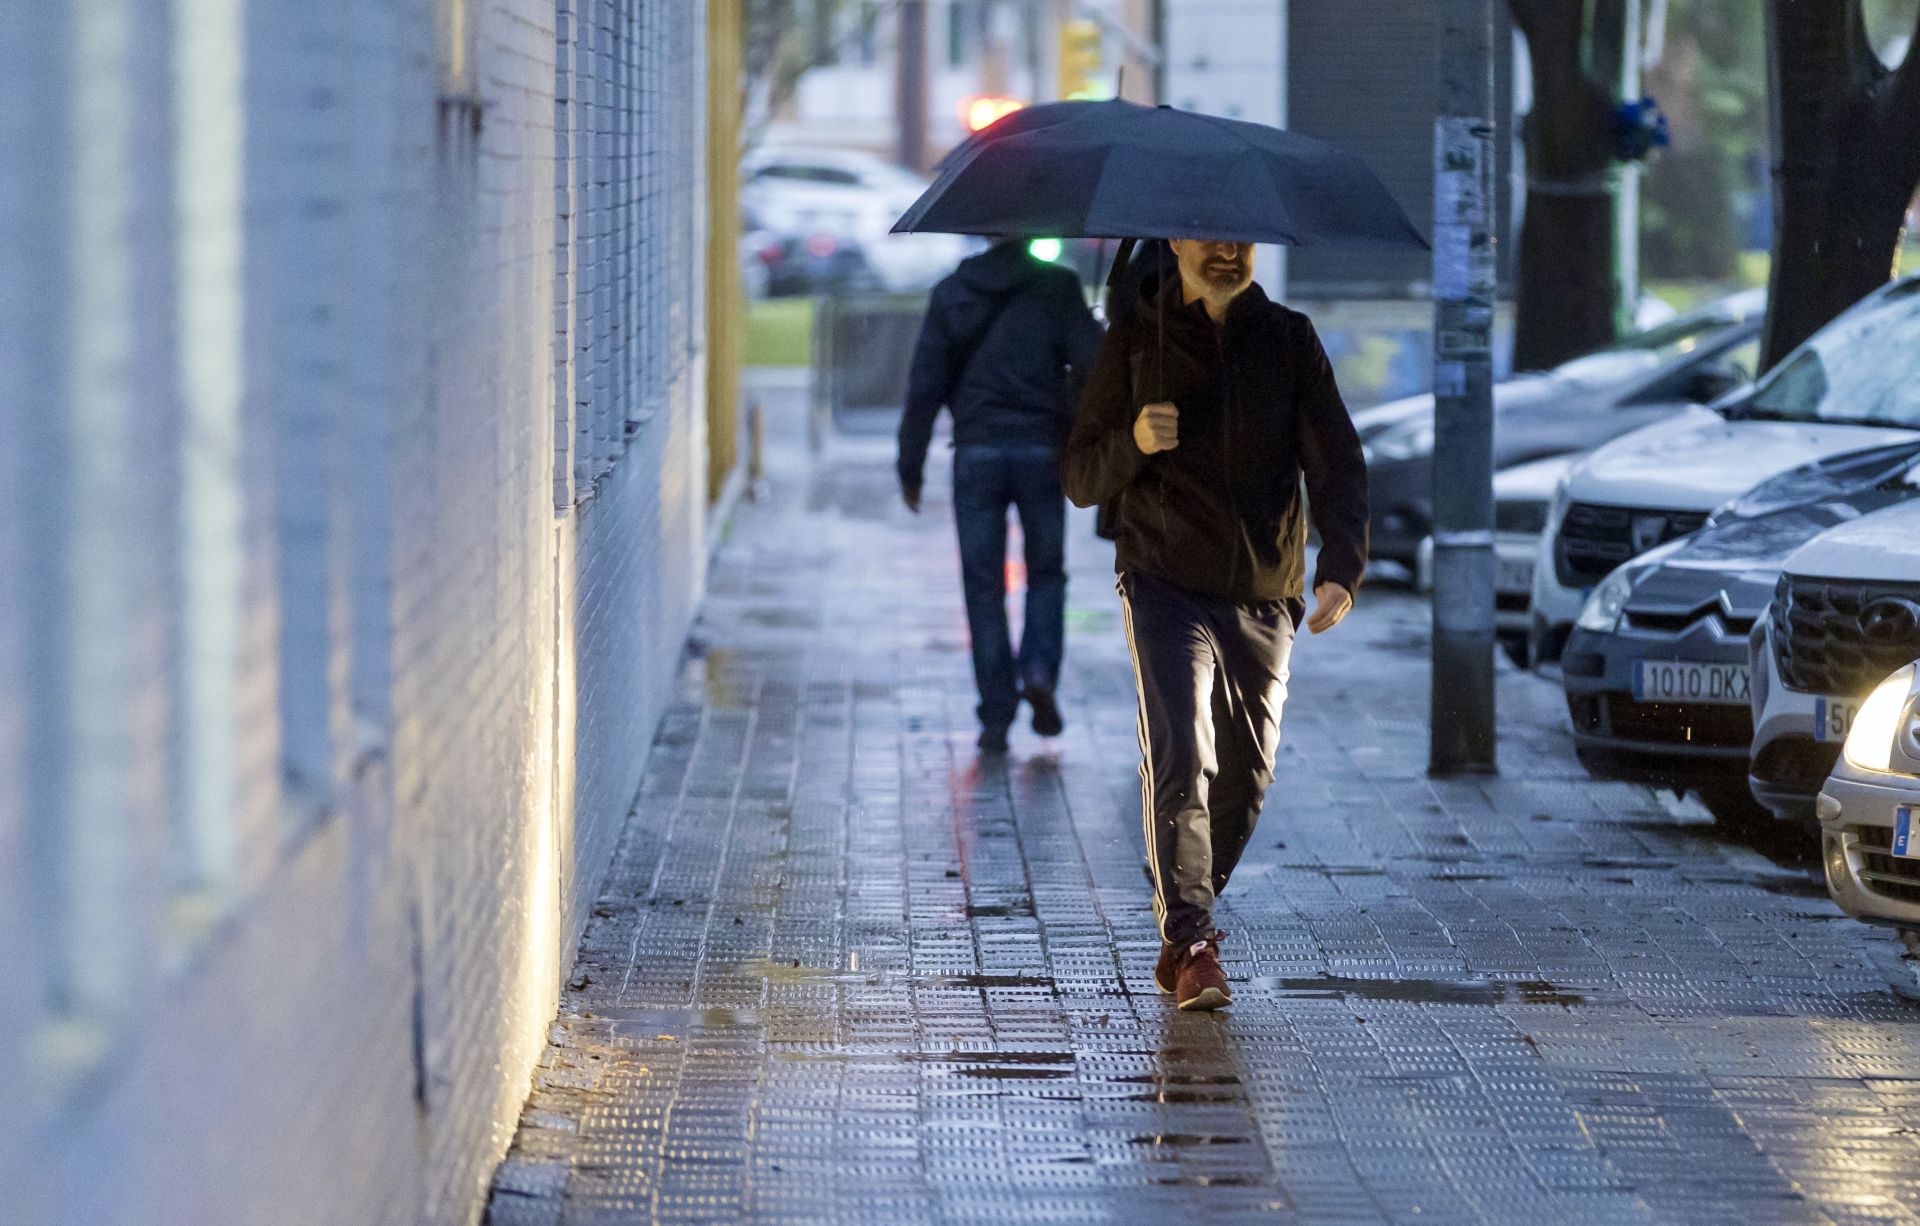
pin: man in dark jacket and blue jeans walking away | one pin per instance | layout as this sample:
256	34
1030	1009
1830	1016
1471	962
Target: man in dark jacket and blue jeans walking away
1003	348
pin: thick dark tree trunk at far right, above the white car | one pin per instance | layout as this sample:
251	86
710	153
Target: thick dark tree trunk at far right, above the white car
1846	137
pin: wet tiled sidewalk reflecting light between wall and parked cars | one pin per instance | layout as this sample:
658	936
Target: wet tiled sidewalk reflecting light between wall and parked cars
846	972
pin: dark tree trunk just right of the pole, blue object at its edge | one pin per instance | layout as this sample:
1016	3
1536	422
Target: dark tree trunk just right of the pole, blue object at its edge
1566	275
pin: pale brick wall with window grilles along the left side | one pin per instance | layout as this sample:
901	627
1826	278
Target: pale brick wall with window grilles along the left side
352	465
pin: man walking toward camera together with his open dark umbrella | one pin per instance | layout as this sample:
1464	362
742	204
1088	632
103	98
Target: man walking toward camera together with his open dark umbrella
1209	410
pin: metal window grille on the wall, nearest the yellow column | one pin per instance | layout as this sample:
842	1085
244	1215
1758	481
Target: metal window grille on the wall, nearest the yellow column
627	179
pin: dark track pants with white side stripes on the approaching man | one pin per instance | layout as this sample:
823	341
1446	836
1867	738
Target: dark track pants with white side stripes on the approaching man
1212	678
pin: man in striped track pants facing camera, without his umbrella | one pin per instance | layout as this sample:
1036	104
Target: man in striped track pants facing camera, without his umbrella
1209	410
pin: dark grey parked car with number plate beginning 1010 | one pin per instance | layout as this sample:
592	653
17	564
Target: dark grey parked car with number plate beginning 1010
1656	672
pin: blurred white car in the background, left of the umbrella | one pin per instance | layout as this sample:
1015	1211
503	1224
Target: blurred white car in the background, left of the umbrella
848	200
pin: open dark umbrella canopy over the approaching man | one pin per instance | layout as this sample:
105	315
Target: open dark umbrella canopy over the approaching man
1118	170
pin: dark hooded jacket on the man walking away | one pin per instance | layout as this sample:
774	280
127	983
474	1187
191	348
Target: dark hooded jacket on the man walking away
997	348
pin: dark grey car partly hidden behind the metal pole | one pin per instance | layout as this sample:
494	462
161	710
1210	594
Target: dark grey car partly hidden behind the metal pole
1575	408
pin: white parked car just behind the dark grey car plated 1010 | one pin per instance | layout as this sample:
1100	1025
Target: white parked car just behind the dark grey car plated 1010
1848	389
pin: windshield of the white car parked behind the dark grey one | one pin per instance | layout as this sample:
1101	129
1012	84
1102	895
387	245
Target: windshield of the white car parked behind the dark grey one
1863	369
